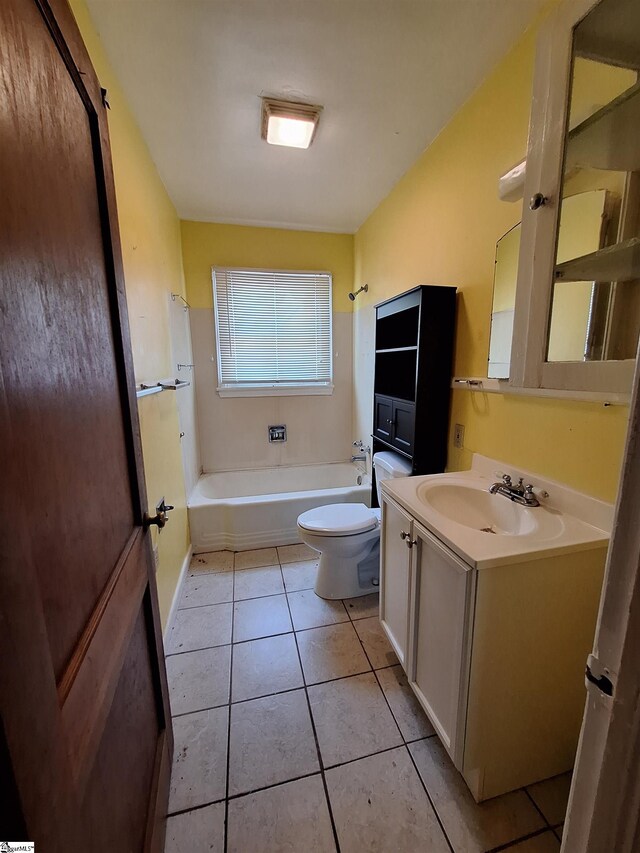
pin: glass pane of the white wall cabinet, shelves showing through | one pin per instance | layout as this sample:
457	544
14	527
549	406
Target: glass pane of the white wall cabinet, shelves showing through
595	312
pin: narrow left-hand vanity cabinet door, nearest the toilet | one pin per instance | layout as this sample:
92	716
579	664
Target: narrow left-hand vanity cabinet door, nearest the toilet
395	576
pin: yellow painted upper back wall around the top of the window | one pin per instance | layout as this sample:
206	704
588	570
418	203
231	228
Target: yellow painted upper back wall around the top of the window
208	244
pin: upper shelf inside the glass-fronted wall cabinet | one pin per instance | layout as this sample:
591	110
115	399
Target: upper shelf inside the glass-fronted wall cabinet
609	138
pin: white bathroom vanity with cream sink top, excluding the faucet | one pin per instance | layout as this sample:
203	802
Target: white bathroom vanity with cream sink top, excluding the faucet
491	609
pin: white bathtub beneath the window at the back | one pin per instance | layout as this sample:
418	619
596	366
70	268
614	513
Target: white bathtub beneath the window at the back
240	510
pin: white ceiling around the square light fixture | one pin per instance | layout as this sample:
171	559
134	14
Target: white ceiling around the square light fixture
389	73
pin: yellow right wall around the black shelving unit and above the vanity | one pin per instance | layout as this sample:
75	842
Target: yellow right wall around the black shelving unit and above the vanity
440	225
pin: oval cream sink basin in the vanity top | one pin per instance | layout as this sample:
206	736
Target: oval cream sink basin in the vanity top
474	507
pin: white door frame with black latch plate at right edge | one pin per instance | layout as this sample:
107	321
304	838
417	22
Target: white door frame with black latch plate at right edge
603	812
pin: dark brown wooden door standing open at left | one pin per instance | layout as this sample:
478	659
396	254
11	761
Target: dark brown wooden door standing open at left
85	740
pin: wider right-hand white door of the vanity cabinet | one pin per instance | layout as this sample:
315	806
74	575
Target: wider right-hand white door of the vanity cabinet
440	637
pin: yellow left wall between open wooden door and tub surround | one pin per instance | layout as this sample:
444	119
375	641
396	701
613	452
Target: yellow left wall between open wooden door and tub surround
151	249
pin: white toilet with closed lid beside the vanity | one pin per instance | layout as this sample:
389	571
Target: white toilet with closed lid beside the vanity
348	537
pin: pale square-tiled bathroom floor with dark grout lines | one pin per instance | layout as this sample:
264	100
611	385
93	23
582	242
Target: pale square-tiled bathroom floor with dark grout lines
295	729
